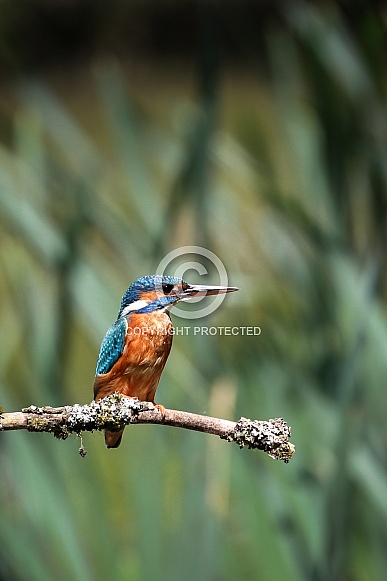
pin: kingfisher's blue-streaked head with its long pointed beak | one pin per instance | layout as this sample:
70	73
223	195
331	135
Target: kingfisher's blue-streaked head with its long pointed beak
156	292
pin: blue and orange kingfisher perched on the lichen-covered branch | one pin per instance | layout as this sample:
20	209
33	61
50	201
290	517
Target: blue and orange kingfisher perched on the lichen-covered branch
136	347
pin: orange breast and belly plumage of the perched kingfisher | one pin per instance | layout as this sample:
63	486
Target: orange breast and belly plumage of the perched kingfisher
137	372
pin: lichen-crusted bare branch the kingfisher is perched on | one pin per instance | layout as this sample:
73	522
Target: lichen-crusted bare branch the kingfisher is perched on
115	411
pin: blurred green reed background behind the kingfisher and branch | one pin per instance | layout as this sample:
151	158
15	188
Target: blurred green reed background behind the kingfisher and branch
255	129
